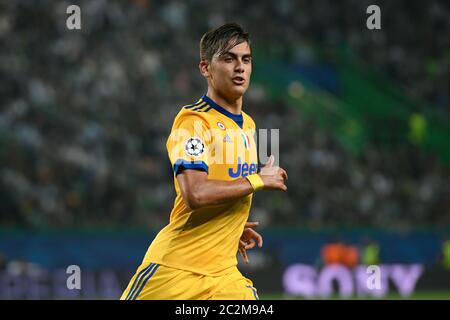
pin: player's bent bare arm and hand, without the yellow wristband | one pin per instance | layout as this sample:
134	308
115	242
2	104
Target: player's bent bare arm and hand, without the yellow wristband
198	191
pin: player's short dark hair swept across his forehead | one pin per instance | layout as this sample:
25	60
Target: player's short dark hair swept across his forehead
222	39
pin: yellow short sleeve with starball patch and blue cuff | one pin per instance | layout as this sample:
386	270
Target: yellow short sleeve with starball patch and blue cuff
189	144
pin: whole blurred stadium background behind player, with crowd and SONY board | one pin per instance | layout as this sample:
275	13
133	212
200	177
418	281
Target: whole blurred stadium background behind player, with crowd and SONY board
364	135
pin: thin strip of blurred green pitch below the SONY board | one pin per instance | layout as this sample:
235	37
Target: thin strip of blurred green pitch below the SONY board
425	295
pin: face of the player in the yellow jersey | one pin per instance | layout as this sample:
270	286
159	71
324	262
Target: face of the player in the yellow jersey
229	73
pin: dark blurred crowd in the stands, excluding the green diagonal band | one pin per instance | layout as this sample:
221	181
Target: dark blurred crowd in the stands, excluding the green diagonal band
84	115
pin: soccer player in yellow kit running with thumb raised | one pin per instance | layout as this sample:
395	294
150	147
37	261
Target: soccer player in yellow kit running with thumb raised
214	157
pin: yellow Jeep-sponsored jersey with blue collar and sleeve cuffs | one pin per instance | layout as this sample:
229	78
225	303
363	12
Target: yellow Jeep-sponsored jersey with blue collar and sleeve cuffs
207	137
